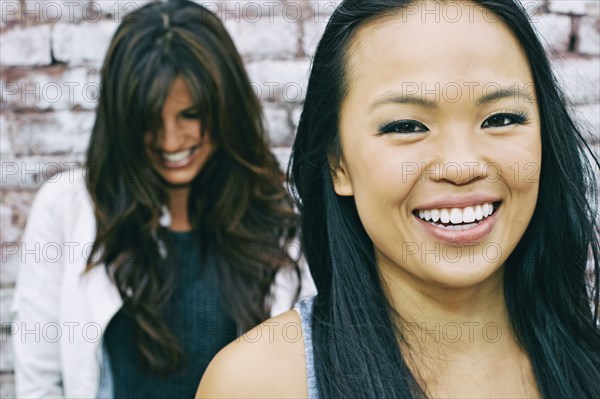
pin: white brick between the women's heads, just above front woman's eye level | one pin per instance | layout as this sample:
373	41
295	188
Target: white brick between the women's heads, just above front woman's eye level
279	80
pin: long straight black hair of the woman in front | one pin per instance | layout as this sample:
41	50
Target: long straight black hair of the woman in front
551	279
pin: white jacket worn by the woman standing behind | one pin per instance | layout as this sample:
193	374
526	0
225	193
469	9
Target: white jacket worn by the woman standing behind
60	312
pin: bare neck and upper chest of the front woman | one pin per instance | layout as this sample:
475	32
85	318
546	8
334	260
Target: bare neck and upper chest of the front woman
457	340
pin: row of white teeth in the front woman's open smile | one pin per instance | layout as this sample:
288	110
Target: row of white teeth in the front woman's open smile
458	218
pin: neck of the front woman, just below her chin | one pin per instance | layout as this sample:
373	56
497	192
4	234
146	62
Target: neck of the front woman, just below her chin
452	320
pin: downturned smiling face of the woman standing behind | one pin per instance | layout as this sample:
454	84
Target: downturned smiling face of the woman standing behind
179	152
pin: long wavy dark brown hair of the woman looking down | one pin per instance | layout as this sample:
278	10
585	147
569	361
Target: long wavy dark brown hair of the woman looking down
237	201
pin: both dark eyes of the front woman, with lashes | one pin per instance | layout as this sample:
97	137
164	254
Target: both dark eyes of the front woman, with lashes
497	120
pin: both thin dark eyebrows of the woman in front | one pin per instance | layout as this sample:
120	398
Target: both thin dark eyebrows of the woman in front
488	97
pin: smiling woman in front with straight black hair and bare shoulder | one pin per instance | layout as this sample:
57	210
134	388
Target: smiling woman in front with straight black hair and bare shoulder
448	214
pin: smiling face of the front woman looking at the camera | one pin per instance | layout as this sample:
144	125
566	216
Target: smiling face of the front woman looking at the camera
441	147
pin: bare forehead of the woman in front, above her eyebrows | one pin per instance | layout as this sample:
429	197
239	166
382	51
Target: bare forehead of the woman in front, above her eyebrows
434	45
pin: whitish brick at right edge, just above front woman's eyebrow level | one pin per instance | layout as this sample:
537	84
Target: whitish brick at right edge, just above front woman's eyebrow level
579	78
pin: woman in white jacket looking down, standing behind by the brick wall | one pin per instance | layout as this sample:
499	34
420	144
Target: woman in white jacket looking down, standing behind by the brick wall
180	238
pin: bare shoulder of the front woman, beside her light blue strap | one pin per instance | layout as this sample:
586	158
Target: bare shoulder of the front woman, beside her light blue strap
266	362
